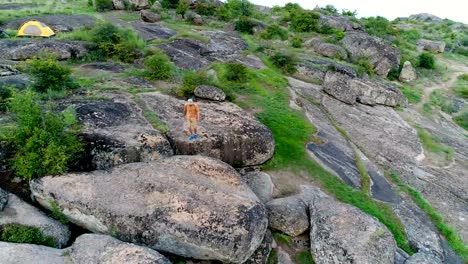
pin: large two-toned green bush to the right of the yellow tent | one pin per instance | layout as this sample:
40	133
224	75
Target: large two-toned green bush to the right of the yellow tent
114	42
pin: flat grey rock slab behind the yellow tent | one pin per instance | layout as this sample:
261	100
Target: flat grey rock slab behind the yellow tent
58	23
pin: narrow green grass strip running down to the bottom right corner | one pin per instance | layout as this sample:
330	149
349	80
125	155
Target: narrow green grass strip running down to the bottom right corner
454	240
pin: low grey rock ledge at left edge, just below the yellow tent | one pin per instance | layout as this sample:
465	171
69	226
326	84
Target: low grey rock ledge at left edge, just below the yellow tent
27	49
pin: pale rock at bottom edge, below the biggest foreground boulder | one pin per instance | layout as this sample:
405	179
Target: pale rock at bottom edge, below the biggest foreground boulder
93	248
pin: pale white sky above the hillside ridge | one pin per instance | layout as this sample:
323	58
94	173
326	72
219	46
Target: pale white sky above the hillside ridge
456	10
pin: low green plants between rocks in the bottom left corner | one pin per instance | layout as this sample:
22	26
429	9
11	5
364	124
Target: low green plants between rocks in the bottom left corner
25	234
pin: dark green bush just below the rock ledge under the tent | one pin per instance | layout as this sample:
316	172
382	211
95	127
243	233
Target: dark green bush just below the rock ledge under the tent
48	74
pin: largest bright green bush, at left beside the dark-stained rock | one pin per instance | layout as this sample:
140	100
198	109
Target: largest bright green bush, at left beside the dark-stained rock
45	142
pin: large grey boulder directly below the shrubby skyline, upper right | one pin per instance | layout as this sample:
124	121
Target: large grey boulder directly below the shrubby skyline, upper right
380	53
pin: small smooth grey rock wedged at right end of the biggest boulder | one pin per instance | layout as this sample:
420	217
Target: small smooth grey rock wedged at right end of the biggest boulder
260	183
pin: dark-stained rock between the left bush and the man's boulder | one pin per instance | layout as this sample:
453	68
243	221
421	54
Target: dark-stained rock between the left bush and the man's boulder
115	132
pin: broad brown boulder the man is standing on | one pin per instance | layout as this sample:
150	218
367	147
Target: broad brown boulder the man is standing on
226	131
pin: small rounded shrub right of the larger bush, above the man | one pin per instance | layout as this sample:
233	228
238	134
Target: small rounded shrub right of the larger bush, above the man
158	66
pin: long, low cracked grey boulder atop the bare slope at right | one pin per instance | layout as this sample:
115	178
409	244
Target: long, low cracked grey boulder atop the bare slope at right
351	90
